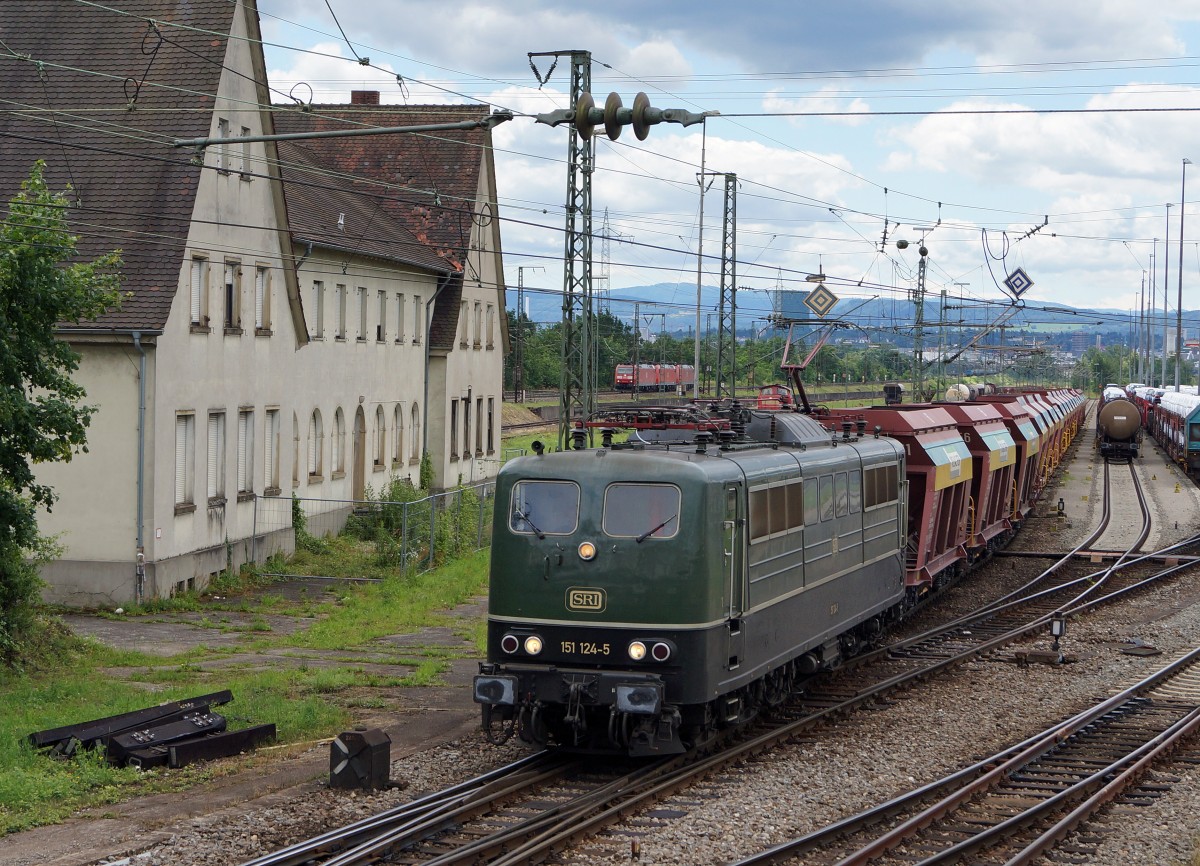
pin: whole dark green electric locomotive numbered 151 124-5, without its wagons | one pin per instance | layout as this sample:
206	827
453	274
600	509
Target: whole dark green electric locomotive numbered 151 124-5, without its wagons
646	594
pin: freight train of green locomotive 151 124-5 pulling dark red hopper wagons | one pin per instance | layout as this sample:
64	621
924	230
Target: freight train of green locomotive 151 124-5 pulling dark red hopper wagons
646	594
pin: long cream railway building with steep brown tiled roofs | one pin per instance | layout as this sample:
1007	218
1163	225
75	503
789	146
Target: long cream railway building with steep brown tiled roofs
285	329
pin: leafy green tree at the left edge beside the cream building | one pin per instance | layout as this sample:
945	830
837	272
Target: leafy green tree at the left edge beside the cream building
43	418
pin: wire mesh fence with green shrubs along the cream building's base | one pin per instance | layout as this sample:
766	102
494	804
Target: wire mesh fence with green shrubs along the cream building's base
412	536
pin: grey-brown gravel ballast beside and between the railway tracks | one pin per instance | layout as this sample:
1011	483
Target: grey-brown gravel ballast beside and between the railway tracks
922	736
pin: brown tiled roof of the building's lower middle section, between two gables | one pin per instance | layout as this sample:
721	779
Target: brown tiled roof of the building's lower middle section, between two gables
323	212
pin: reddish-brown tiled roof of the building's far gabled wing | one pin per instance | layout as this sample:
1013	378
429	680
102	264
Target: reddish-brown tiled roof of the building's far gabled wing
433	178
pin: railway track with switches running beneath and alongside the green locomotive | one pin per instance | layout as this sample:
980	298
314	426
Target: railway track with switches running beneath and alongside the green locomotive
533	811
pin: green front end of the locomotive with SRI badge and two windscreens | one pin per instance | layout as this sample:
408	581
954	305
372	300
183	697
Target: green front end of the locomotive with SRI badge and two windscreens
605	608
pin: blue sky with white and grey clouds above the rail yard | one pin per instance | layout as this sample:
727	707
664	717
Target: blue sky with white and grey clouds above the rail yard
1001	135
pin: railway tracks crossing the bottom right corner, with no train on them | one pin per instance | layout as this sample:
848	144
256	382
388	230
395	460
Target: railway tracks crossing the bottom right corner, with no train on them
1016	805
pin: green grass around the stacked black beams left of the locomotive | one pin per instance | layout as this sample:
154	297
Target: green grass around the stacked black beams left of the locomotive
303	700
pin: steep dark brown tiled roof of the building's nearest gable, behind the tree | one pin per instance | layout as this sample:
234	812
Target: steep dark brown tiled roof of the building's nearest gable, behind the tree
100	95
